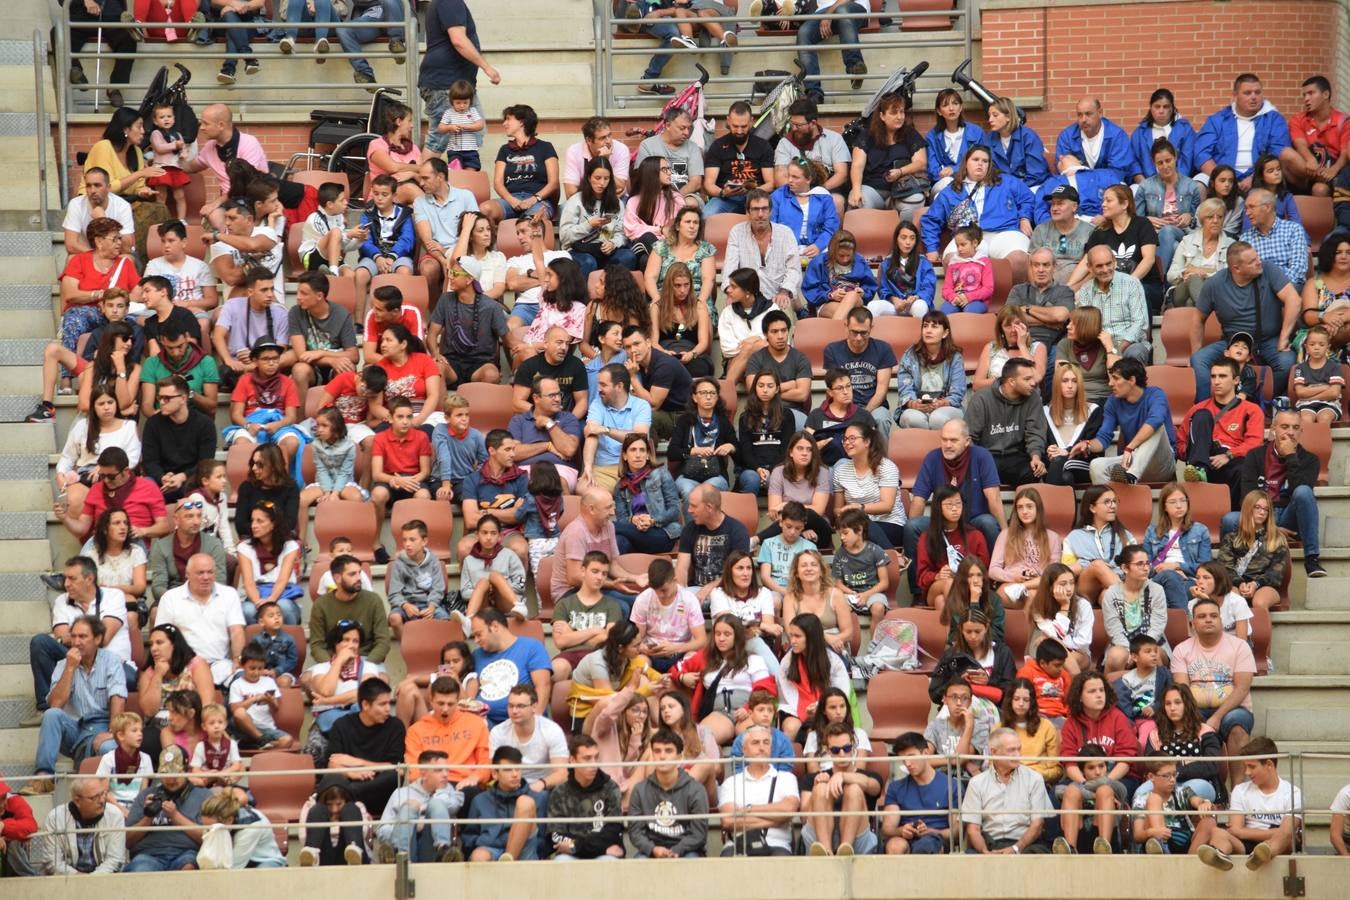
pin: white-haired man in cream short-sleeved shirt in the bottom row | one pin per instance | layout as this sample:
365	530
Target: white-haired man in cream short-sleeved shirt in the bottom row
993	810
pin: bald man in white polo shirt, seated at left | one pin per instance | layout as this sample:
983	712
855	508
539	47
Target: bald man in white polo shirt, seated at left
209	615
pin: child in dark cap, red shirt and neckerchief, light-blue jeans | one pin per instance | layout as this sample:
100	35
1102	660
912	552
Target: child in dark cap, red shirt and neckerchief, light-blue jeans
265	405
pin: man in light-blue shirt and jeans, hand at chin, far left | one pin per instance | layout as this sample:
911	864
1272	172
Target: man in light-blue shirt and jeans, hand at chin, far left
88	689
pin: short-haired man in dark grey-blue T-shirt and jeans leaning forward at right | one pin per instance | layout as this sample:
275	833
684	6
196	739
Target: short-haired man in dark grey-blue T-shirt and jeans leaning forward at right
1229	295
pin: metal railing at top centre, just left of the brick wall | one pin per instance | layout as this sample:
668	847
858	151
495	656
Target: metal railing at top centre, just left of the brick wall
608	48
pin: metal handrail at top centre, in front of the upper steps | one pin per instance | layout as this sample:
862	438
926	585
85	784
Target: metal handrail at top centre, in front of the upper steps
608	49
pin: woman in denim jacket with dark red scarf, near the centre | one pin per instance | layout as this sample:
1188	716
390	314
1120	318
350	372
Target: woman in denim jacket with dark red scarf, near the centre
647	504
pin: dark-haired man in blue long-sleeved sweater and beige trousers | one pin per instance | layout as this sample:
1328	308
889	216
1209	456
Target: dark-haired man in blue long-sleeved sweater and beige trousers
1144	419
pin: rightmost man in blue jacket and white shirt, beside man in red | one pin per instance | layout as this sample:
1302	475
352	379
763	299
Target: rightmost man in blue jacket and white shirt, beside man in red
1241	133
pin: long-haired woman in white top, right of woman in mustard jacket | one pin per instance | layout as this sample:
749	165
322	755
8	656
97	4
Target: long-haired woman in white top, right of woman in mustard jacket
722	678
